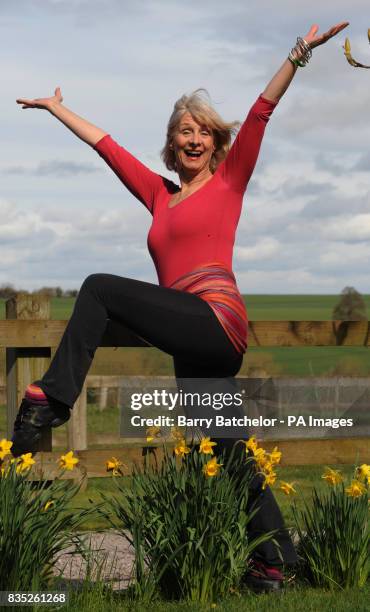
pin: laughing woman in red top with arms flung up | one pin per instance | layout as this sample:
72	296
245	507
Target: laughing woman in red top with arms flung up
196	313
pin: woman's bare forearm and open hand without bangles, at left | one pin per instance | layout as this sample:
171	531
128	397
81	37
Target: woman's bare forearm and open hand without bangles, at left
88	132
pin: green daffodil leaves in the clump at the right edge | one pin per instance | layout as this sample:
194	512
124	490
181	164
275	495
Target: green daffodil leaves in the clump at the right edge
334	531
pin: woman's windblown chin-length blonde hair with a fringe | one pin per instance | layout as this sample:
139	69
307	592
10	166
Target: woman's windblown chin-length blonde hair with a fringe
198	105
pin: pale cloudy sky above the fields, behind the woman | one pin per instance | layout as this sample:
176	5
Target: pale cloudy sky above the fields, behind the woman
305	225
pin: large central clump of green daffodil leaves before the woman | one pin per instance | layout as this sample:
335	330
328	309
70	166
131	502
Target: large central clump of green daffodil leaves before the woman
189	531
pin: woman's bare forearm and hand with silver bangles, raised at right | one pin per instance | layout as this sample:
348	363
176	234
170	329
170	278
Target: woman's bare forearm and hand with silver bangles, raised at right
282	79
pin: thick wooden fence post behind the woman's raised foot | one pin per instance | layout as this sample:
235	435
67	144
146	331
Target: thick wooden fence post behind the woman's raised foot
24	365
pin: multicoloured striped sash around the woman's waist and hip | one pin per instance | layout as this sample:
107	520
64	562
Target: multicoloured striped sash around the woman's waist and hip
216	285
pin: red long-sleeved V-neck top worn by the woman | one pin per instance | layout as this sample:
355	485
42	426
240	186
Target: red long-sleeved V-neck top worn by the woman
201	228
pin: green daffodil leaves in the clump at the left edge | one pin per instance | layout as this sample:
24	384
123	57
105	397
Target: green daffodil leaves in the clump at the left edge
30	534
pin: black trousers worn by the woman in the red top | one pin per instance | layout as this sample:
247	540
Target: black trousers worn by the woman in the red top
178	323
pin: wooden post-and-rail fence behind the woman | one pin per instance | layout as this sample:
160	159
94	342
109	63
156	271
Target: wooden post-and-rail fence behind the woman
30	339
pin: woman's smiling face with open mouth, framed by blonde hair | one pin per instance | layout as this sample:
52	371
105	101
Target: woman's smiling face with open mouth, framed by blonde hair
193	145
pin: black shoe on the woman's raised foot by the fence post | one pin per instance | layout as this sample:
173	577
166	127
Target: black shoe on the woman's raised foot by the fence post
31	420
